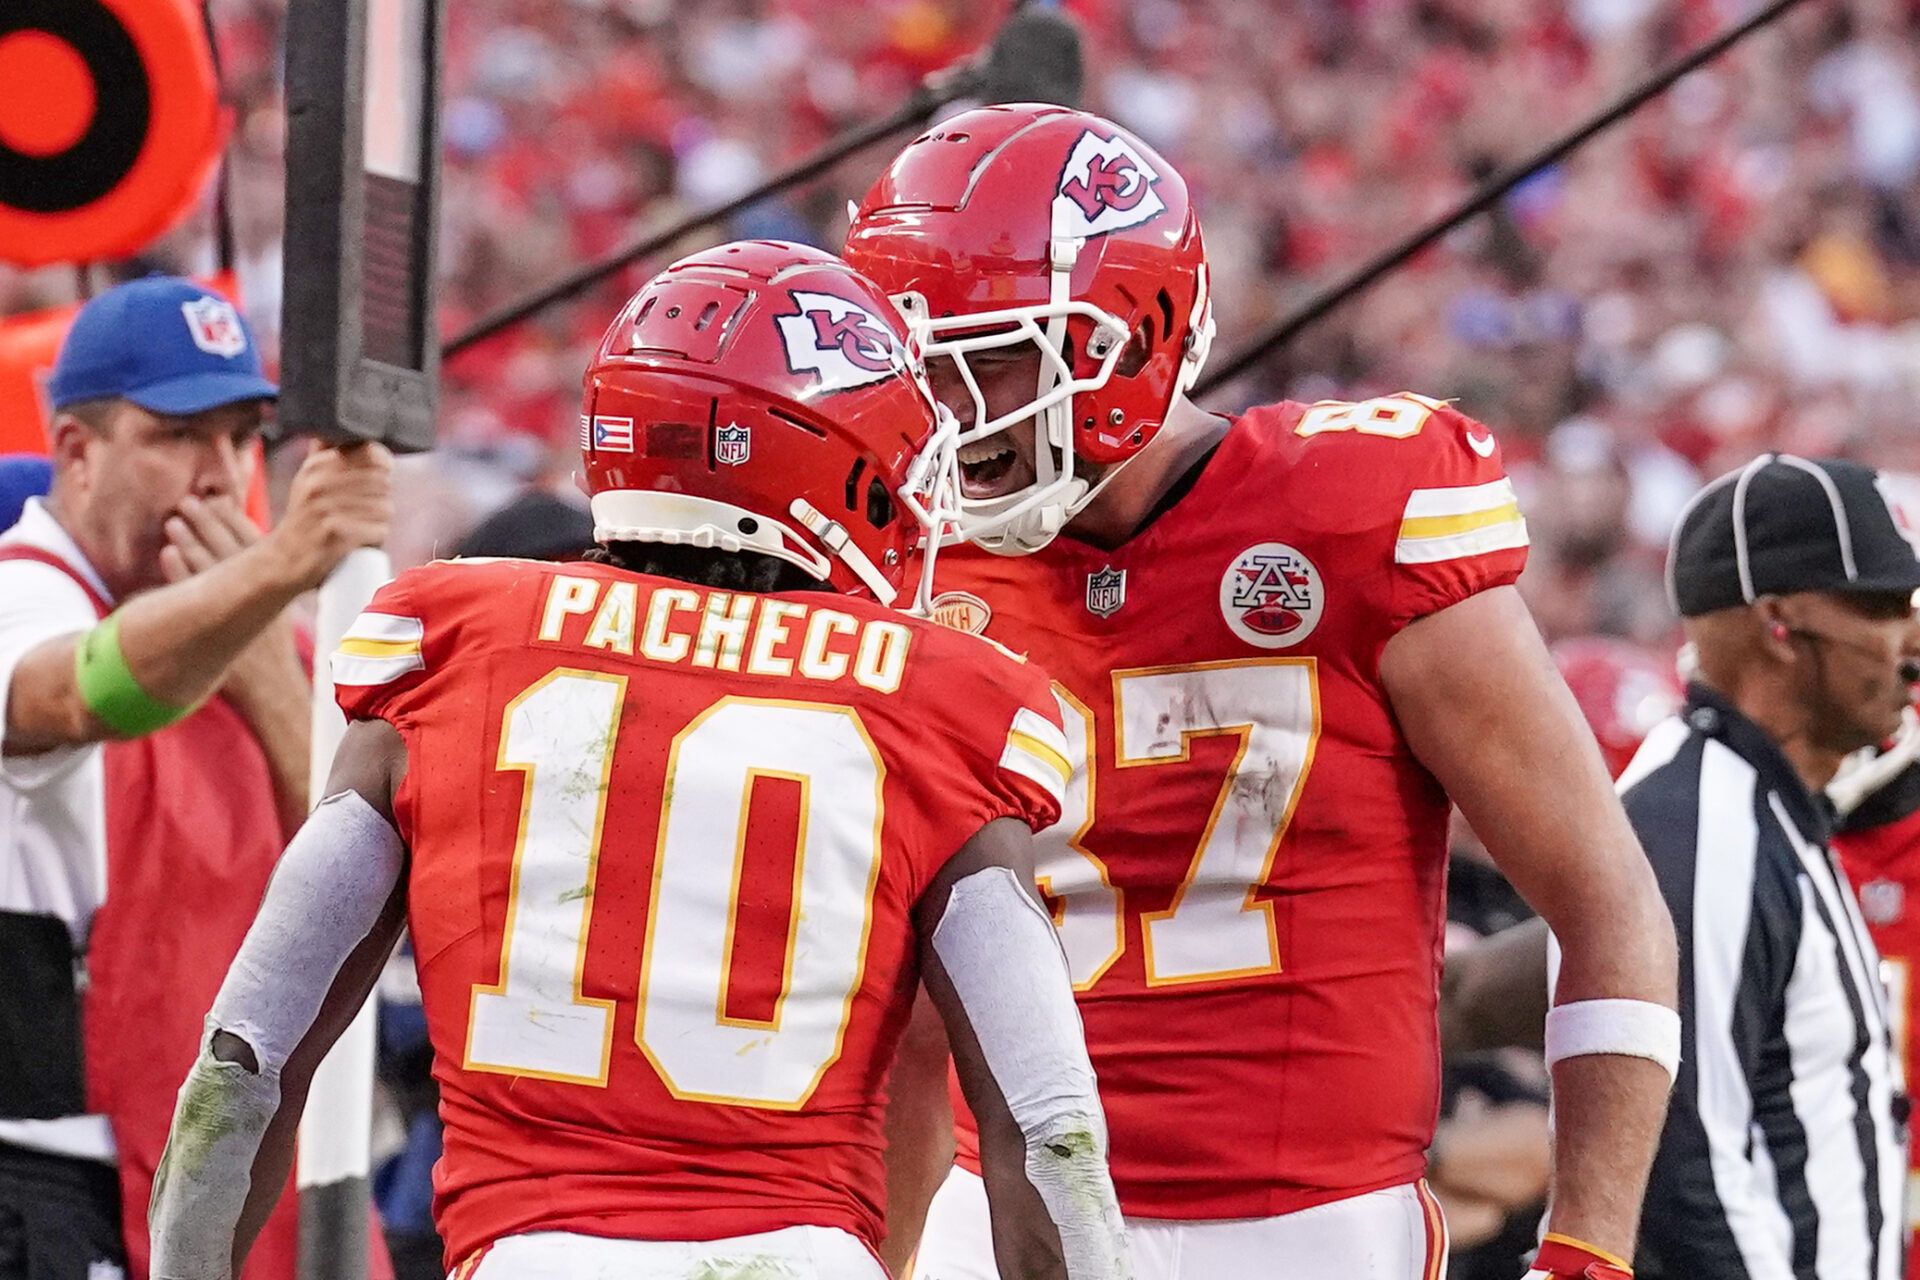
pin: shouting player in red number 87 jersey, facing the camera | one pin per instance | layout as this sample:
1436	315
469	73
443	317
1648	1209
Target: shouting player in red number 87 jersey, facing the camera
1282	642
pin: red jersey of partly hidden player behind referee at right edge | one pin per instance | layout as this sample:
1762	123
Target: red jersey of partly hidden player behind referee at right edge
1881	849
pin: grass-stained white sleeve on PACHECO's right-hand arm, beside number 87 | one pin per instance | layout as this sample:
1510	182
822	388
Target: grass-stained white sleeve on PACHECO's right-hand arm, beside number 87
1005	962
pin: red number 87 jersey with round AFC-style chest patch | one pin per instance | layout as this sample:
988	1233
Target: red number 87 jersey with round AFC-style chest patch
1251	872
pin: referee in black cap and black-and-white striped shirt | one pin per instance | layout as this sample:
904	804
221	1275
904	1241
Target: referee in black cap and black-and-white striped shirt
1783	1156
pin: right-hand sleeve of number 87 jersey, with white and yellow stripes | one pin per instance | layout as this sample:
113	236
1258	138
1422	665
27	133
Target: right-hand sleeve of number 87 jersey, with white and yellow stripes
1460	523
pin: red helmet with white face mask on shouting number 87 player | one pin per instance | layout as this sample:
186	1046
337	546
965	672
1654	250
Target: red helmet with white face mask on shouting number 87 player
1059	229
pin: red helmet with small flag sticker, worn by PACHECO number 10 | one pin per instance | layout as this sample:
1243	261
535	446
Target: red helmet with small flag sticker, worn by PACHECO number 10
765	398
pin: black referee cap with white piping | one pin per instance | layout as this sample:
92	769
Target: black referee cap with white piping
1785	525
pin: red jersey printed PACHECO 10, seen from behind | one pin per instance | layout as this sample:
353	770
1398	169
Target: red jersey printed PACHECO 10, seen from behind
665	843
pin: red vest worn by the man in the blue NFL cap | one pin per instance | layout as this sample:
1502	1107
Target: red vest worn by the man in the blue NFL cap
193	836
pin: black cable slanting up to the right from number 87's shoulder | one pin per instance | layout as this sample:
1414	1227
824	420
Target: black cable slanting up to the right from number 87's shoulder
1485	197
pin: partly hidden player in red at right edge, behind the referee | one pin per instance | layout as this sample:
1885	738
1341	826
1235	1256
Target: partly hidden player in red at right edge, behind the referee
1879	843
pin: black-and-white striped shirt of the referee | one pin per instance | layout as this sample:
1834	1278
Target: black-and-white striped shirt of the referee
1783	1158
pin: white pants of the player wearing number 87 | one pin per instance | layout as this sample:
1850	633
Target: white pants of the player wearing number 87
1393	1235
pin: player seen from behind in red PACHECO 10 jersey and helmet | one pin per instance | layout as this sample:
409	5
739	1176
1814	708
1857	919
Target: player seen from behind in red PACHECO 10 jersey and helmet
677	834
